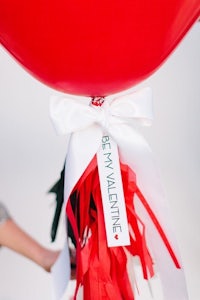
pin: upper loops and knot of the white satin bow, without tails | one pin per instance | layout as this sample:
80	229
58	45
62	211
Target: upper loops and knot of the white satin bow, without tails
70	115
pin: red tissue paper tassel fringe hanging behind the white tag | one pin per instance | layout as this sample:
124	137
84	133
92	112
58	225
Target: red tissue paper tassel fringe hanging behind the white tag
102	270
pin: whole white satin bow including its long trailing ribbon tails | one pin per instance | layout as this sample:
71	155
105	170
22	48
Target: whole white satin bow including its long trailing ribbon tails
84	125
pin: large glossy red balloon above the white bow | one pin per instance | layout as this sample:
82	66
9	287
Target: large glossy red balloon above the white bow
94	47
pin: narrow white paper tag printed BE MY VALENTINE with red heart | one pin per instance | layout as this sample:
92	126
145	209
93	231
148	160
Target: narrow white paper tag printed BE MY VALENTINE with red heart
115	216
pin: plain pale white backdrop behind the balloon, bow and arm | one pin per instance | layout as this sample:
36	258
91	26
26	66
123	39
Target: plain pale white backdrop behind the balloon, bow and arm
32	156
